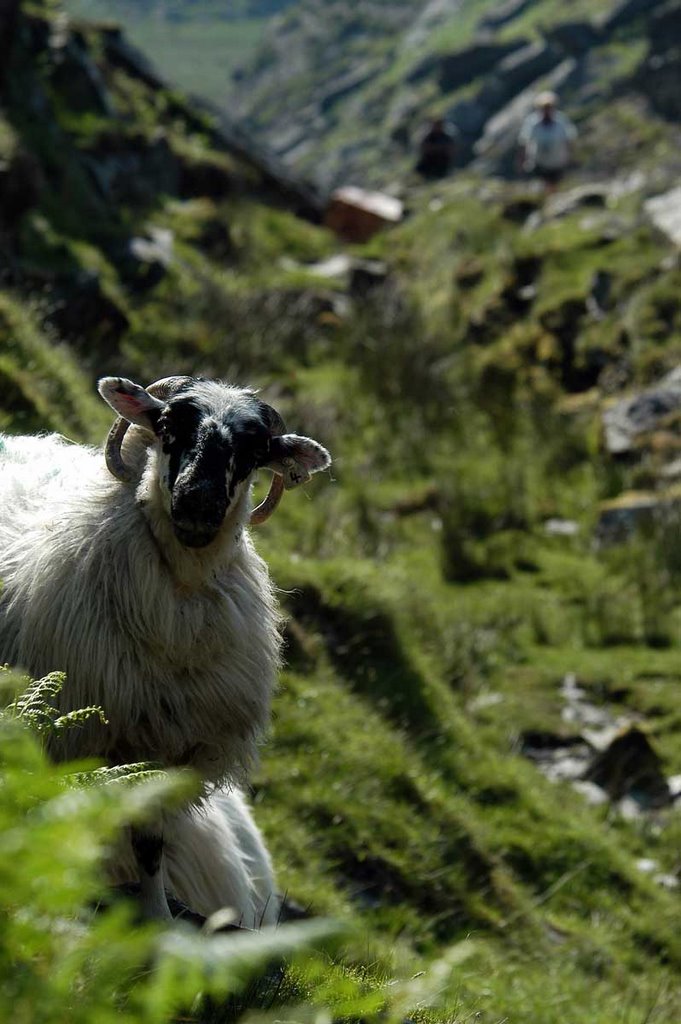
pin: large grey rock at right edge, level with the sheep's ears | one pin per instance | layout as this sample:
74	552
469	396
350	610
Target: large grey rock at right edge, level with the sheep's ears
628	419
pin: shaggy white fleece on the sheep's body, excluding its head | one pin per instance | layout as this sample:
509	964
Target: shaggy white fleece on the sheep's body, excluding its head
180	647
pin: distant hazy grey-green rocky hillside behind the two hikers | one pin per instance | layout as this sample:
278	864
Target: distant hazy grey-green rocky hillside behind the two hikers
347	96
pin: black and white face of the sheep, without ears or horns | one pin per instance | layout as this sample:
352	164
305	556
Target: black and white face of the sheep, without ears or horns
208	457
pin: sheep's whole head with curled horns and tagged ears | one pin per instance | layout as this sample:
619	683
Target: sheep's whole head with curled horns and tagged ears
211	438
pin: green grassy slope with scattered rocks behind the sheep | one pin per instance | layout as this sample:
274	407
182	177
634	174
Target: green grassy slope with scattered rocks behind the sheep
434	615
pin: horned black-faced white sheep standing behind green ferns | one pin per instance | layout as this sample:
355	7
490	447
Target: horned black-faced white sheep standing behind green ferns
136	575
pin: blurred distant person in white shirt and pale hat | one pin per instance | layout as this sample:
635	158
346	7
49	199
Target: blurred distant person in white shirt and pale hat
545	143
